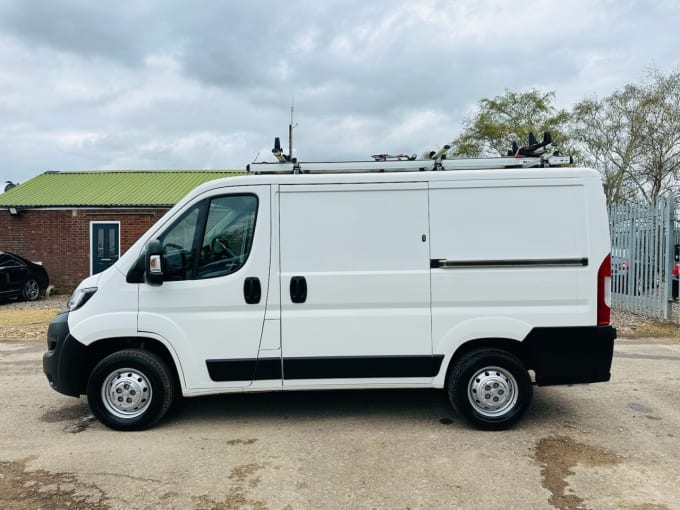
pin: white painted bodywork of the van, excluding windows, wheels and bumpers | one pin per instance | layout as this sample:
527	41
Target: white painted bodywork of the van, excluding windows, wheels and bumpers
399	269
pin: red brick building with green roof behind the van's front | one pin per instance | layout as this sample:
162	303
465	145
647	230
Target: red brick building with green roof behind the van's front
79	223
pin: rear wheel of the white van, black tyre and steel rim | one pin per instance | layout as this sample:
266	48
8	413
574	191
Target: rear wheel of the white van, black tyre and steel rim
506	384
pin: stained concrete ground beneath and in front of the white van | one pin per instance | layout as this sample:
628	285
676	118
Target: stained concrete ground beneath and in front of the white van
614	445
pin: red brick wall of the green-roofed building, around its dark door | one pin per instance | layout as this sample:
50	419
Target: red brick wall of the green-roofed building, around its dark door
60	239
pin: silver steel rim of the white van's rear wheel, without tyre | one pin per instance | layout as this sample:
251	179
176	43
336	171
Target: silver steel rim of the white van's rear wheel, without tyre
492	392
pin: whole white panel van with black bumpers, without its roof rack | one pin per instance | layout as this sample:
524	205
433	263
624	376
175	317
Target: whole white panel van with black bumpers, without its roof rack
482	282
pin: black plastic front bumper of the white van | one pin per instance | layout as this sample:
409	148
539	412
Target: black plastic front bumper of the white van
65	358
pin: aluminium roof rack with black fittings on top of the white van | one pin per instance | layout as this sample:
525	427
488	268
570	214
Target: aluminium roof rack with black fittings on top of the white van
534	155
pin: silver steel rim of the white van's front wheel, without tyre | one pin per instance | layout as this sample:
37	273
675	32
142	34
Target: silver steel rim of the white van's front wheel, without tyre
126	393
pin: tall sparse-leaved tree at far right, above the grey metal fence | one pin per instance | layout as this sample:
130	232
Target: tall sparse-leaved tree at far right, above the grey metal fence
633	138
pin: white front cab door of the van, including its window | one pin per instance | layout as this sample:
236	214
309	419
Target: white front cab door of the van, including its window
210	307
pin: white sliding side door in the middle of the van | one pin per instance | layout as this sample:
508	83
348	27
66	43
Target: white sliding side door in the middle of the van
355	284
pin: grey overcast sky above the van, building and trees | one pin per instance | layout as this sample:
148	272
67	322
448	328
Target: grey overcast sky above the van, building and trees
151	84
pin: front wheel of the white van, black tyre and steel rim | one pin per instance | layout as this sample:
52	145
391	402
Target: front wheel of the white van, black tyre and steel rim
130	390
